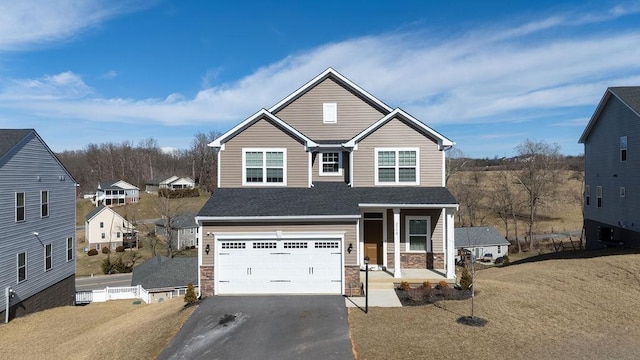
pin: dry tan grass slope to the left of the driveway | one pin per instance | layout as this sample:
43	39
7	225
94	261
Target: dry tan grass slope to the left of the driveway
111	330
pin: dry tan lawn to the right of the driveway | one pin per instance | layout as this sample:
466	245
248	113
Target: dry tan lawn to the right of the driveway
553	309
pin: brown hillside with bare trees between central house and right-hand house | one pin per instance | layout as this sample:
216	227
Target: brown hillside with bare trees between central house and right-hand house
512	190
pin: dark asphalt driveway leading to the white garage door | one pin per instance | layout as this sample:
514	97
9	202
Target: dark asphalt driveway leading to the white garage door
264	327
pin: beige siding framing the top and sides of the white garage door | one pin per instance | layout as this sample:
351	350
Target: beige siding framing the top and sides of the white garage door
349	229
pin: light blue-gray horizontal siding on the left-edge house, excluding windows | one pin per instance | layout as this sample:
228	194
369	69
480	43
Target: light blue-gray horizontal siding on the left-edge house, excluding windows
30	168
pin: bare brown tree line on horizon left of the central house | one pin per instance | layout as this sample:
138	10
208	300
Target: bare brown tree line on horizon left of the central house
138	164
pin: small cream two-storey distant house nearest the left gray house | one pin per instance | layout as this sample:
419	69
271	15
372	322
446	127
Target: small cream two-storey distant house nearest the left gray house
104	227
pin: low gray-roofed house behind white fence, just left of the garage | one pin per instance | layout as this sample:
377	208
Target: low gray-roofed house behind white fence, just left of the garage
164	277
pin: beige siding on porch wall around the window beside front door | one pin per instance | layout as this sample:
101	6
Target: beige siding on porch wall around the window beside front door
437	228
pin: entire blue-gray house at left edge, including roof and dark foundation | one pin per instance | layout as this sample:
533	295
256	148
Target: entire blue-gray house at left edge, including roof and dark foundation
37	218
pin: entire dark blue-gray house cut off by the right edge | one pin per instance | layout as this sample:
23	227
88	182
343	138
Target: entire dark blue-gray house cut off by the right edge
612	170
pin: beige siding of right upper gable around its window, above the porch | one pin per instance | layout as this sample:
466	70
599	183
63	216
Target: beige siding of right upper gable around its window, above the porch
396	133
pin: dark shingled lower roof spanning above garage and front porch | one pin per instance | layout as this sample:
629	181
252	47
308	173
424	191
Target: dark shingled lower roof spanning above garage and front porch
324	199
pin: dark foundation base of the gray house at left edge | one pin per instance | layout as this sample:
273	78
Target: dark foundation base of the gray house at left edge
62	293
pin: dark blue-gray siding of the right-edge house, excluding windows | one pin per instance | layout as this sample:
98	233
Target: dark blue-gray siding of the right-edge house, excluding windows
604	168
